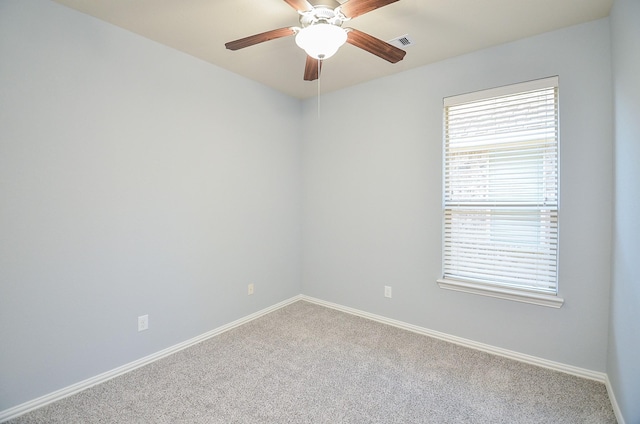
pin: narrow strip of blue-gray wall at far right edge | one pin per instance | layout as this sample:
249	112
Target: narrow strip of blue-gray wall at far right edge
623	365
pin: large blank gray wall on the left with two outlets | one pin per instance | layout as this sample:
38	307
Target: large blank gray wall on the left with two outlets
133	180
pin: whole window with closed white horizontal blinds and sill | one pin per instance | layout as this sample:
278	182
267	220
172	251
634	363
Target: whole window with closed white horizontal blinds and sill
501	192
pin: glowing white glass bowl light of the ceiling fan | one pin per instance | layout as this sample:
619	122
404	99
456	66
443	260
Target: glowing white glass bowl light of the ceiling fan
321	40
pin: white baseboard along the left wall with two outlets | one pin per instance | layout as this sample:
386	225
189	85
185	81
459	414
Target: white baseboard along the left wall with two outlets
31	405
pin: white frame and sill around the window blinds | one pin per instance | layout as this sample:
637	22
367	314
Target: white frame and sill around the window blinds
537	296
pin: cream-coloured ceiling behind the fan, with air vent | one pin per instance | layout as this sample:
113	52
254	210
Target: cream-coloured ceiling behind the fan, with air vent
438	29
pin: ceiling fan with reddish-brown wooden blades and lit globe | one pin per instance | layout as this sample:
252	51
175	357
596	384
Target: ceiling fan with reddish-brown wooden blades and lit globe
321	33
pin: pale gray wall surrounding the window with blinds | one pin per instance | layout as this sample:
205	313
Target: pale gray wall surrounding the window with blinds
372	199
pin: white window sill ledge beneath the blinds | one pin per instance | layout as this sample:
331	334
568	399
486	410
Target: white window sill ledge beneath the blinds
503	293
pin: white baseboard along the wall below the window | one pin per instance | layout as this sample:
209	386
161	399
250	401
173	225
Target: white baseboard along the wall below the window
533	360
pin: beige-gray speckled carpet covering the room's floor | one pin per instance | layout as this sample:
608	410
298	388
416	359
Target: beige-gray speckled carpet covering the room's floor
308	364
